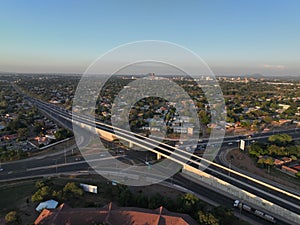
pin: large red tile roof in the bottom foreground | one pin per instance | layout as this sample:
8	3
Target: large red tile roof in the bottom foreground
112	215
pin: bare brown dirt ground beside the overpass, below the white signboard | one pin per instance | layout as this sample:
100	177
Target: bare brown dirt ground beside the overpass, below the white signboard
243	161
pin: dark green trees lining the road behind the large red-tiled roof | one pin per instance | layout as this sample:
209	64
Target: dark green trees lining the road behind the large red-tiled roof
185	203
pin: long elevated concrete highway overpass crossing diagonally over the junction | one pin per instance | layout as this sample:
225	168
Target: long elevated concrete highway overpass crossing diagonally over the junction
283	203
